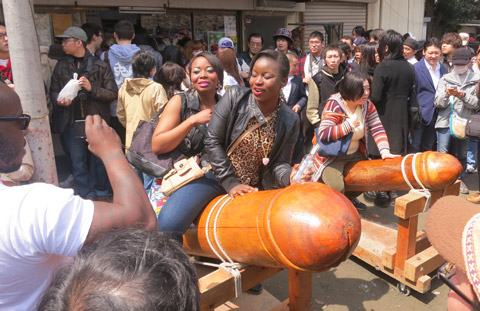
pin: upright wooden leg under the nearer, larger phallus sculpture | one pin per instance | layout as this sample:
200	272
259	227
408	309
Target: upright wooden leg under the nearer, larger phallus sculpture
300	290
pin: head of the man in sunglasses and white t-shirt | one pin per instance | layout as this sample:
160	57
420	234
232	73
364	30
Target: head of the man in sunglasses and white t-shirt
12	137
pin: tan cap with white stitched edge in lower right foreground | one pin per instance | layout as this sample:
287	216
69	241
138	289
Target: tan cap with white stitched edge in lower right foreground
453	228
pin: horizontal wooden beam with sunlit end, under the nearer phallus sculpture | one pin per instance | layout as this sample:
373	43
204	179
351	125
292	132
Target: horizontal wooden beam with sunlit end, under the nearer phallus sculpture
218	287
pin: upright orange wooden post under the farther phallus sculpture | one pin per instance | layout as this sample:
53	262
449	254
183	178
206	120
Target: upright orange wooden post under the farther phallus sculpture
406	239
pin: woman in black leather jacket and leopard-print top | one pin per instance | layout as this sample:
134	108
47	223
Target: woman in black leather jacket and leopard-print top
261	158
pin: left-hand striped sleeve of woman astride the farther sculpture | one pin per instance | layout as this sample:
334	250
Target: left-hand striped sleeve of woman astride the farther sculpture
334	124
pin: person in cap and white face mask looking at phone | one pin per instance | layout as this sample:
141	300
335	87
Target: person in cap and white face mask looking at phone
456	96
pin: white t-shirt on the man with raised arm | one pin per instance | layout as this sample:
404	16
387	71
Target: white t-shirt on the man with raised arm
41	228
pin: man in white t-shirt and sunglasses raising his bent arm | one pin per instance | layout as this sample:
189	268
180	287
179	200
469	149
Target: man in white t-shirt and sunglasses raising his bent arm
43	225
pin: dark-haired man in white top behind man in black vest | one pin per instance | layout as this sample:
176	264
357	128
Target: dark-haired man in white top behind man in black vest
312	63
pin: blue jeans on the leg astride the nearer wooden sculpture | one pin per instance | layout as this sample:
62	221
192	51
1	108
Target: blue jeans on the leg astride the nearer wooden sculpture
185	204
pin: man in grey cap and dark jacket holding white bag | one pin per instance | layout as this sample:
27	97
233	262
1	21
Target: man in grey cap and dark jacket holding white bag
98	89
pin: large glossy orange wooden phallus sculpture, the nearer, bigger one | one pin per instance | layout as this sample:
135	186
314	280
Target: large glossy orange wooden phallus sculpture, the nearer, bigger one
307	227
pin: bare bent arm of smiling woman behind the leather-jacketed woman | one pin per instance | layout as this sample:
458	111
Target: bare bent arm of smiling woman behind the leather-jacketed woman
170	131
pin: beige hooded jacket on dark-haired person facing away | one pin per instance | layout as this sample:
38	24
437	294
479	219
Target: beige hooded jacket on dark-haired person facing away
138	99
